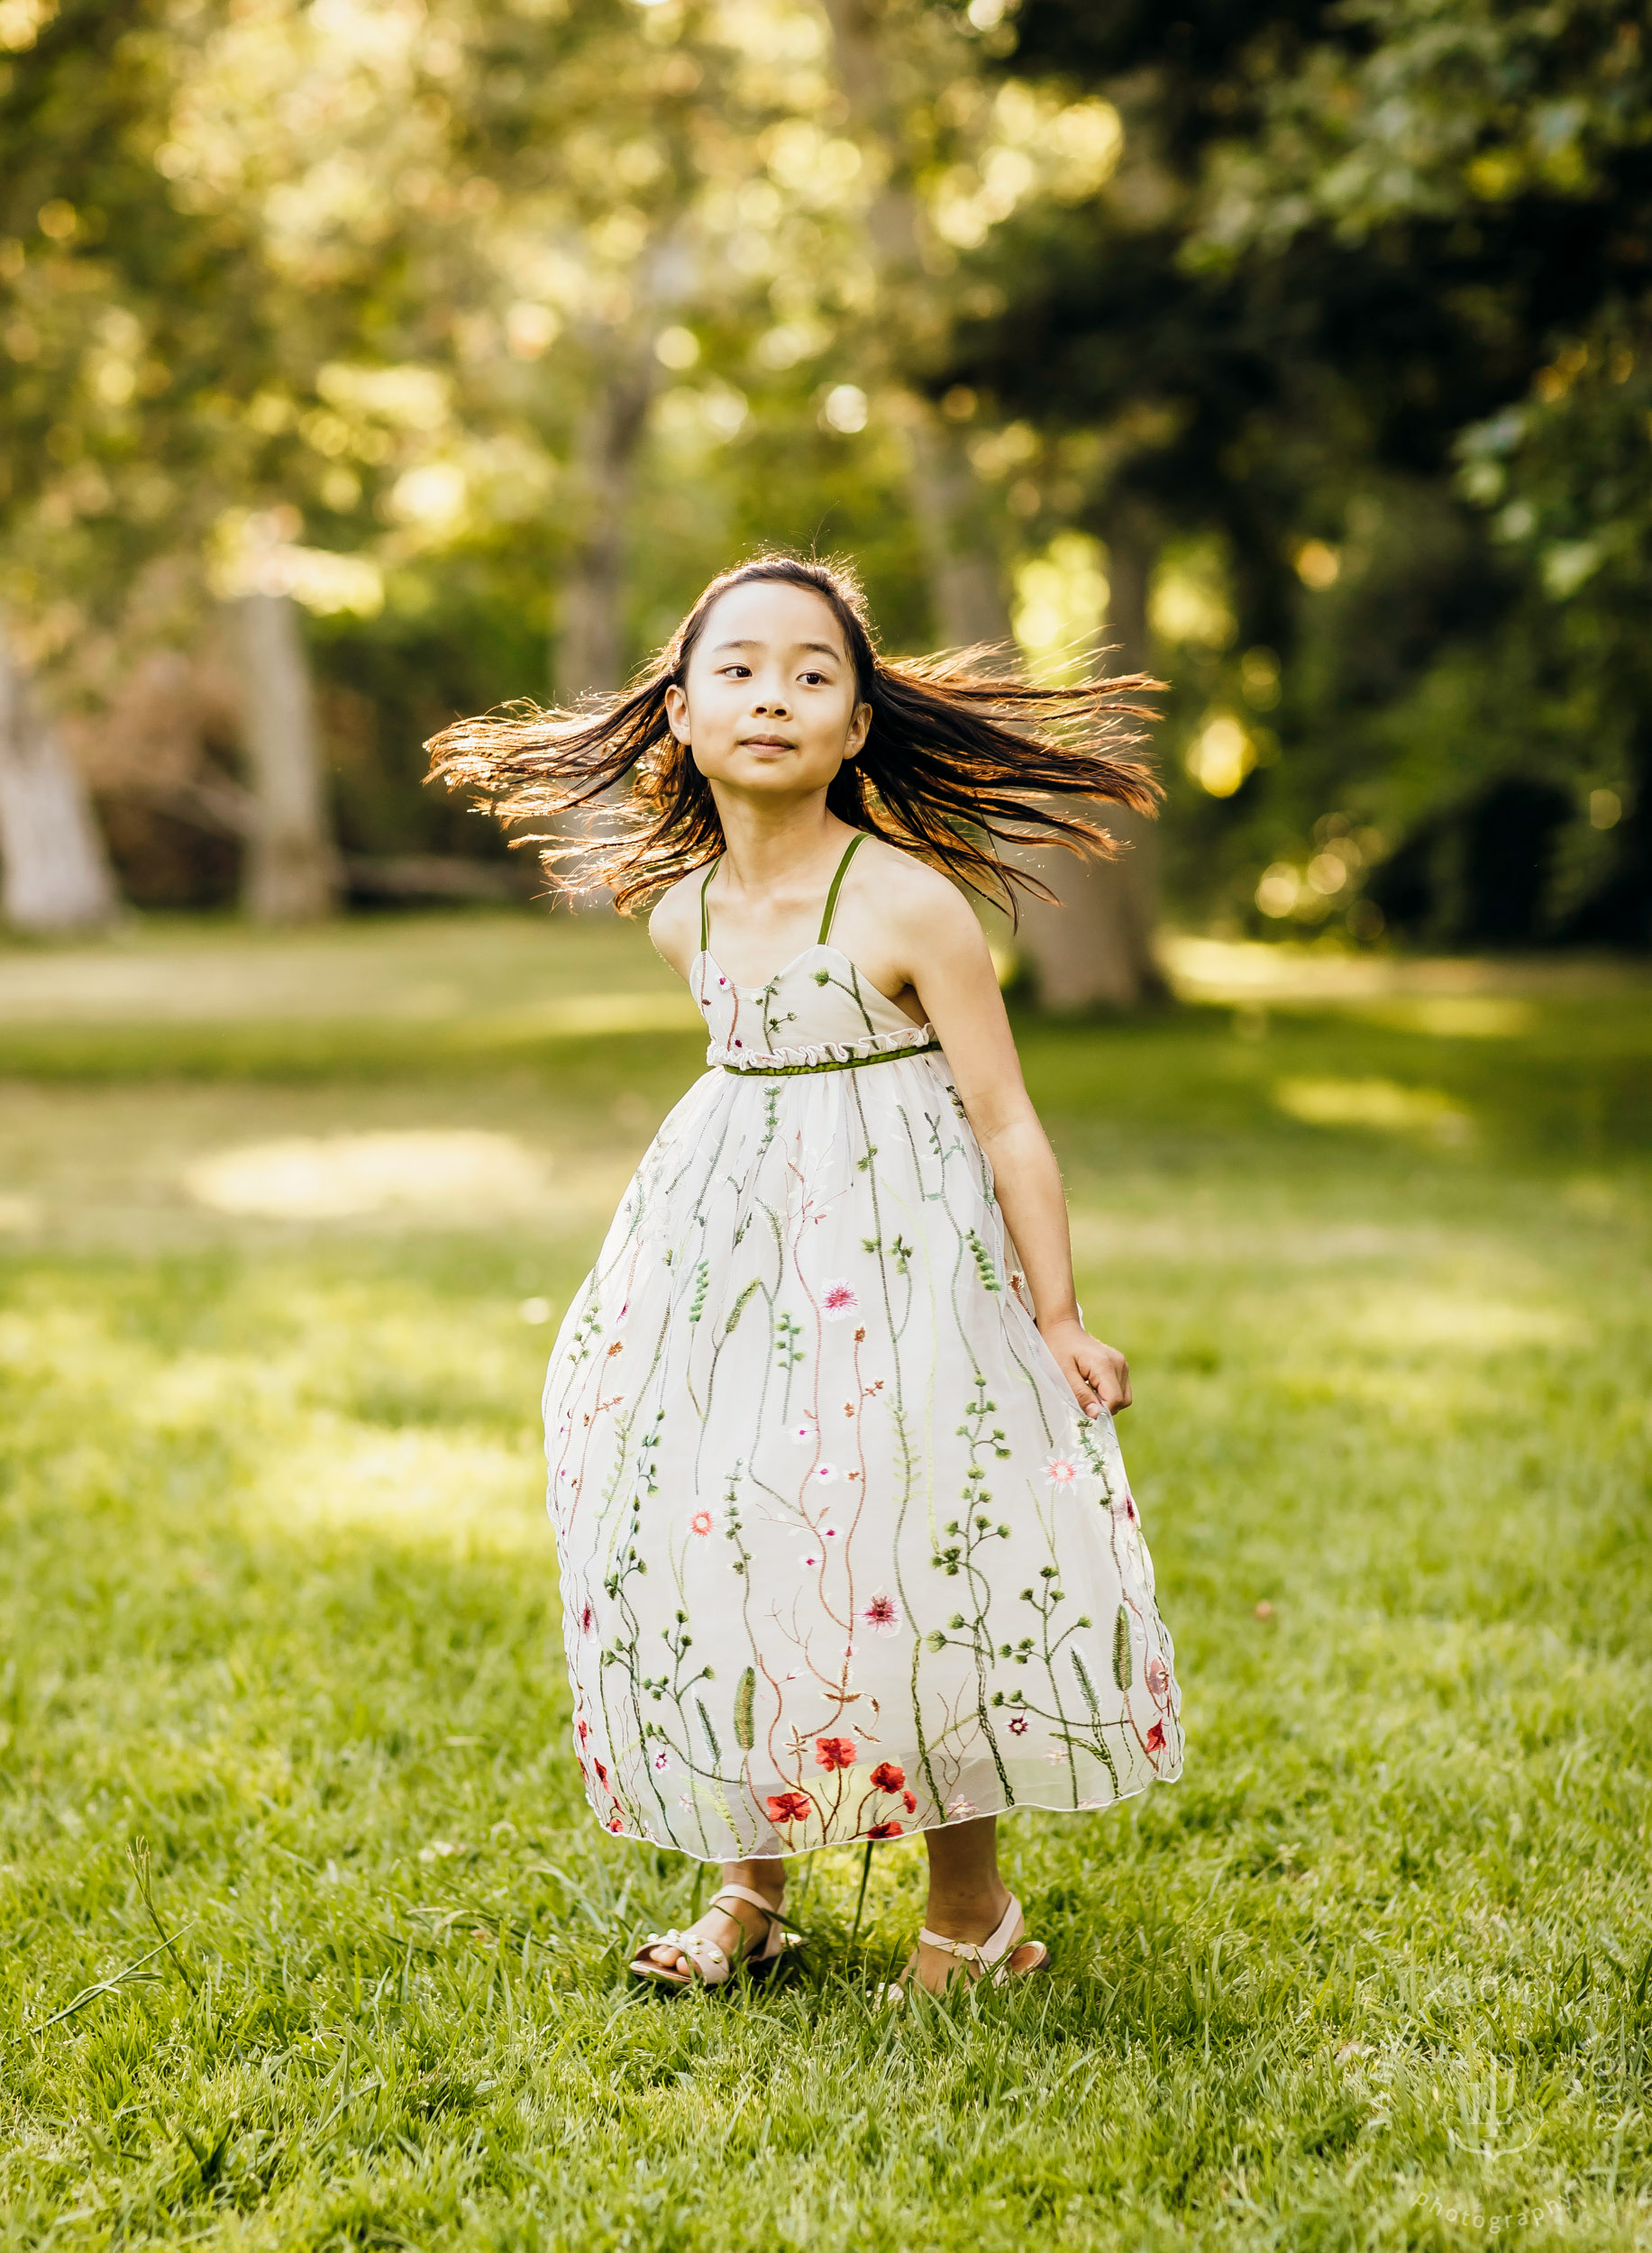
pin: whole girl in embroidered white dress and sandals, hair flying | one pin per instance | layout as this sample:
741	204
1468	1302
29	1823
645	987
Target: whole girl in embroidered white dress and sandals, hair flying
846	1540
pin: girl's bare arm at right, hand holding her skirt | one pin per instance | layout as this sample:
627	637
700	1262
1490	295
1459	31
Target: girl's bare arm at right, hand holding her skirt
948	961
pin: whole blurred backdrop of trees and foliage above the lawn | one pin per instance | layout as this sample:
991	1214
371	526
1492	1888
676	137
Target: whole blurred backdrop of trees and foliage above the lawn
371	362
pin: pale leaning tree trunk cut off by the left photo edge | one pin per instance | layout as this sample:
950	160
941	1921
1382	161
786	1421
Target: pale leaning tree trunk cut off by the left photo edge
55	871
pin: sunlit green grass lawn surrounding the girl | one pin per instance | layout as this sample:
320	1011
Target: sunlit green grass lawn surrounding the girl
283	1225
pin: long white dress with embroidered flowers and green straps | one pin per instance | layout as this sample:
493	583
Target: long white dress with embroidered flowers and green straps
840	1558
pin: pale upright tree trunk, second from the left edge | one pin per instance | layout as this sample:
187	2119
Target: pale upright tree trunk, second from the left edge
292	862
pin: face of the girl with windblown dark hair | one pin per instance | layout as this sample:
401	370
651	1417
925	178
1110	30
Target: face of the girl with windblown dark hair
770	702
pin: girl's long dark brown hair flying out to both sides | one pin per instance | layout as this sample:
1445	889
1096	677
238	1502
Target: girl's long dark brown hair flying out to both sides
957	765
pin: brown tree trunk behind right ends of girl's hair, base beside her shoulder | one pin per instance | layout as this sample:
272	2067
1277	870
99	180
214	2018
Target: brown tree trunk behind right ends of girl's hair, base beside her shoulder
1099	947
